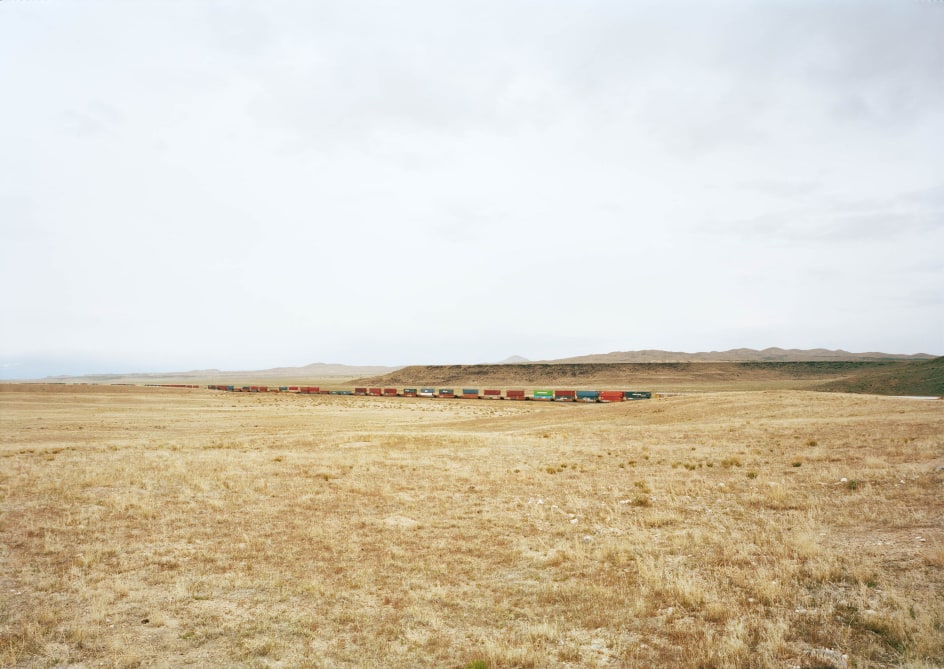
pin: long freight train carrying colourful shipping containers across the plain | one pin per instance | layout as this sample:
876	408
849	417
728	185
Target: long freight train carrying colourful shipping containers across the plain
453	393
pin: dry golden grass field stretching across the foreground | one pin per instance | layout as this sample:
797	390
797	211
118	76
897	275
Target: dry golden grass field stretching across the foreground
166	528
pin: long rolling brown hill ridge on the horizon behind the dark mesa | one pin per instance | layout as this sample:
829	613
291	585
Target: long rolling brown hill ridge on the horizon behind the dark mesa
739	355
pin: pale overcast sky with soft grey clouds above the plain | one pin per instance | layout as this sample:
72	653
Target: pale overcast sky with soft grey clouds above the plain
244	185
